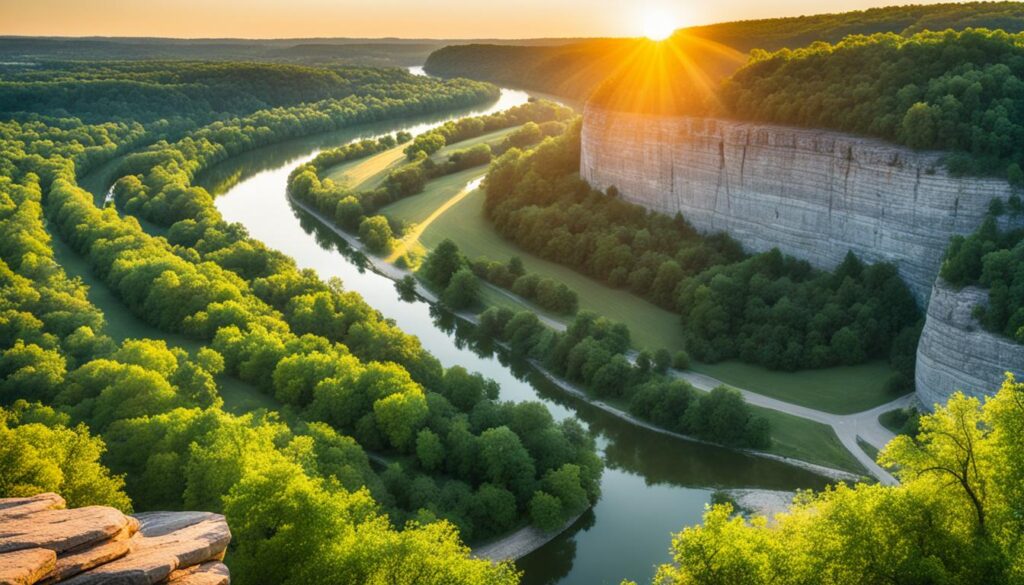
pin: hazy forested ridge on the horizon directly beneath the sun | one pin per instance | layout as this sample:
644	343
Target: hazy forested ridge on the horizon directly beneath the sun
576	70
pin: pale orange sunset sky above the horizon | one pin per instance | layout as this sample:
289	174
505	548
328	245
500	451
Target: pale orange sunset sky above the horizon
434	19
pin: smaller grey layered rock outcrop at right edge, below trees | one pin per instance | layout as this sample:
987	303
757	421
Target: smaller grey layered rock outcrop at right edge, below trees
956	354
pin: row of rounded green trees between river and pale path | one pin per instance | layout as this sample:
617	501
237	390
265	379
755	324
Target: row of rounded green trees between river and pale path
594	354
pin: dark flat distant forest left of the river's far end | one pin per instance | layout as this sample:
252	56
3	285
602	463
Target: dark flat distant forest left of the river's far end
185	95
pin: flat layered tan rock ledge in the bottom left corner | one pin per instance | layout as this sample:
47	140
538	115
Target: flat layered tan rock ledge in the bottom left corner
42	542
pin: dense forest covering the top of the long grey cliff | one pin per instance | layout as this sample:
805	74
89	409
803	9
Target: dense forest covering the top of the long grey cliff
953	92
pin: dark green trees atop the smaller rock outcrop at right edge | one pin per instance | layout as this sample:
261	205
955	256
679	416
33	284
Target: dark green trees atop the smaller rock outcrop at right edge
993	259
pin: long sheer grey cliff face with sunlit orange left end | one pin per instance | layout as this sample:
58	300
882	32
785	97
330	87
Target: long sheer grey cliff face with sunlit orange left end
816	195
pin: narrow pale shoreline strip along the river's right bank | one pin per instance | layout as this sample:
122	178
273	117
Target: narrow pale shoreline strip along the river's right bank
396	273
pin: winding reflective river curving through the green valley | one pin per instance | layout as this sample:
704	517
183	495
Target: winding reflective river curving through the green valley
653	486
